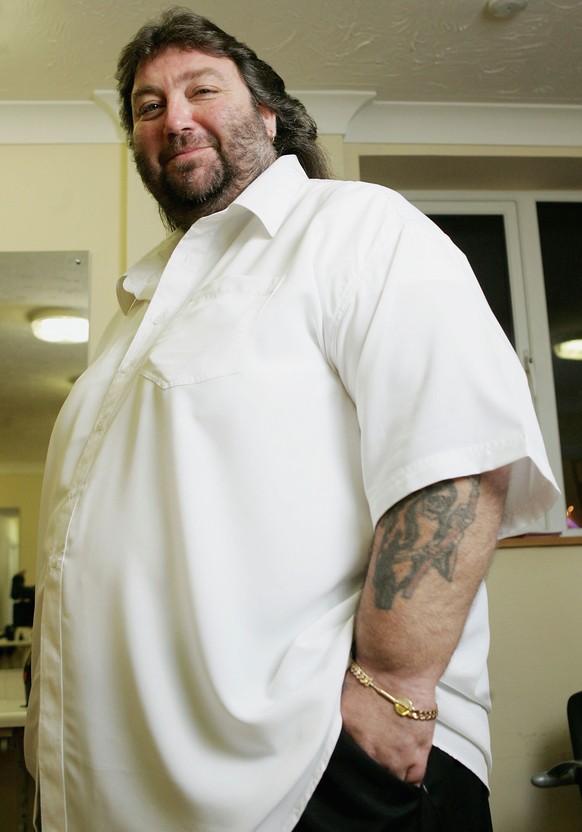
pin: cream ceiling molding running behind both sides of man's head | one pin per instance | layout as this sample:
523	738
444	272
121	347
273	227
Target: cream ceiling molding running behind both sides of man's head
353	115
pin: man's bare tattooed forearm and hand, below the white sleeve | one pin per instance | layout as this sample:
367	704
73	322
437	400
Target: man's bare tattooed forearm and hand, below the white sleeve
429	554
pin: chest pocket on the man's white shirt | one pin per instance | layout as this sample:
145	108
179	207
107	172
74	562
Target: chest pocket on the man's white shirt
210	336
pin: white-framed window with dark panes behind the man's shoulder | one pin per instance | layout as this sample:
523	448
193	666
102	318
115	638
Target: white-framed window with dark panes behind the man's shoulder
526	251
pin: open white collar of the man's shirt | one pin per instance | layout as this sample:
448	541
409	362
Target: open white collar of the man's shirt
269	197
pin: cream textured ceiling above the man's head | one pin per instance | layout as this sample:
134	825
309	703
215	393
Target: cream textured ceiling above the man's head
416	50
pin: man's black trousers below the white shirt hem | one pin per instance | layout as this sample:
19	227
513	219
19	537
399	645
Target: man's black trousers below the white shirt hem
356	794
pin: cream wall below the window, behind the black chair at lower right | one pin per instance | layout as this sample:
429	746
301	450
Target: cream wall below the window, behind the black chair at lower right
535	597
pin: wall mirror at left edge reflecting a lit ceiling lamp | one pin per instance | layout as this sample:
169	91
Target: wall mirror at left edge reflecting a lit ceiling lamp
36	378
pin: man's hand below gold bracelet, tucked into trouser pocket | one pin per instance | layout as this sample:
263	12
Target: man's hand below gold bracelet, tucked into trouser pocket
400	744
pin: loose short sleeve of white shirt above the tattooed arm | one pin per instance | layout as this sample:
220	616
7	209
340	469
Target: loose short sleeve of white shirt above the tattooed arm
439	390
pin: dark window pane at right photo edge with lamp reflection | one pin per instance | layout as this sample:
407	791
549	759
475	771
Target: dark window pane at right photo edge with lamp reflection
560	225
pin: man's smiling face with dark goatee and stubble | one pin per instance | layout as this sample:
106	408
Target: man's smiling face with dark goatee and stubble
198	138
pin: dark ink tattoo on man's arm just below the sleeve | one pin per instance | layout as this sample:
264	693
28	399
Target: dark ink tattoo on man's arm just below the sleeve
421	533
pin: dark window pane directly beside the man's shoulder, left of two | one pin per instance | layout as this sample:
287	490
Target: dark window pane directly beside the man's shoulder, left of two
481	237
